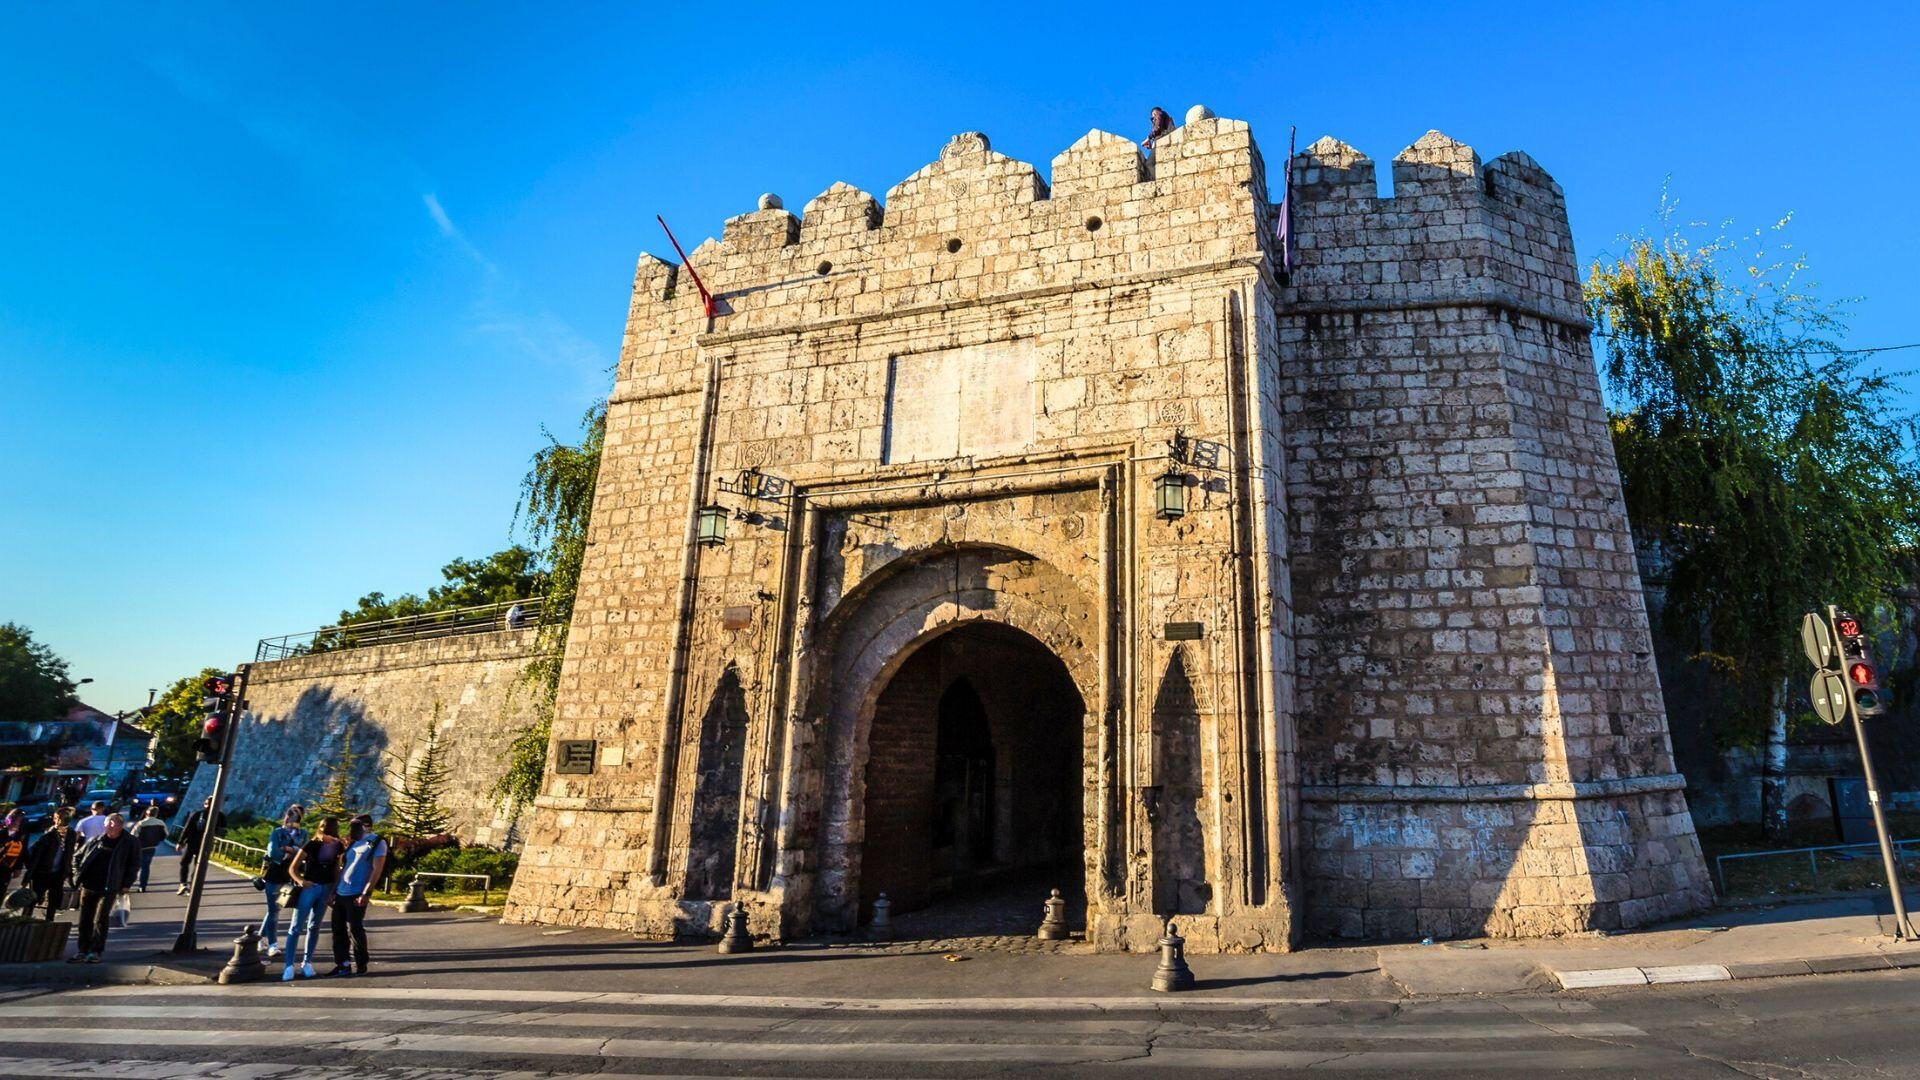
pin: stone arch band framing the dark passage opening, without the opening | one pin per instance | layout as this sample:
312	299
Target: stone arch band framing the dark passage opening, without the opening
919	601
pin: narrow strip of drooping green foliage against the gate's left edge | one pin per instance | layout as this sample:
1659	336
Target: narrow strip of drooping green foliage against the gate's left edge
556	510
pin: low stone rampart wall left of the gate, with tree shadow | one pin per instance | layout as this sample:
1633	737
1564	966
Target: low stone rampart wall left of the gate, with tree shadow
300	710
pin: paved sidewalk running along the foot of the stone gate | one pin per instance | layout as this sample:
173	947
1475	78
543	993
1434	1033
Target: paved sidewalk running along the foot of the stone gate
446	950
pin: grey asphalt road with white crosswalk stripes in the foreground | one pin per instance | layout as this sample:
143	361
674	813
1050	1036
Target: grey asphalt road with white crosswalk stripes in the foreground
1858	1025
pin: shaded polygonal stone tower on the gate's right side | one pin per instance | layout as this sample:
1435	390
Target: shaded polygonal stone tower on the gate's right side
1481	729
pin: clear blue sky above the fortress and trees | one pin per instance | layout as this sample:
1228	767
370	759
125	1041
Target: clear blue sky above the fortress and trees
285	299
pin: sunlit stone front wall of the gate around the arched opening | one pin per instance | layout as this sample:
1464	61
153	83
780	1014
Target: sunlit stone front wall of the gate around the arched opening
955	366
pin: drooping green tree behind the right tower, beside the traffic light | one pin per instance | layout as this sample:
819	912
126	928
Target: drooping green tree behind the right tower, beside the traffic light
1765	460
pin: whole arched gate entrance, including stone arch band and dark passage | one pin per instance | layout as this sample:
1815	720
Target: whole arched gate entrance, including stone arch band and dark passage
1011	647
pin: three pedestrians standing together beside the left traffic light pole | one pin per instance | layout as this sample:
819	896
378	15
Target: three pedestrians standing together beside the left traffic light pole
314	875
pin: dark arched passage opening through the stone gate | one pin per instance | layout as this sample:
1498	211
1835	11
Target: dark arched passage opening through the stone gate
974	773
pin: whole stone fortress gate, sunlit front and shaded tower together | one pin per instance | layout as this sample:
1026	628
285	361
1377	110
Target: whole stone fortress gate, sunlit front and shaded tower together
1047	526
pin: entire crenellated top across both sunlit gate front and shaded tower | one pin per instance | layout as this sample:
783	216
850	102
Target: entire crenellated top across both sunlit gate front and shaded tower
976	224
